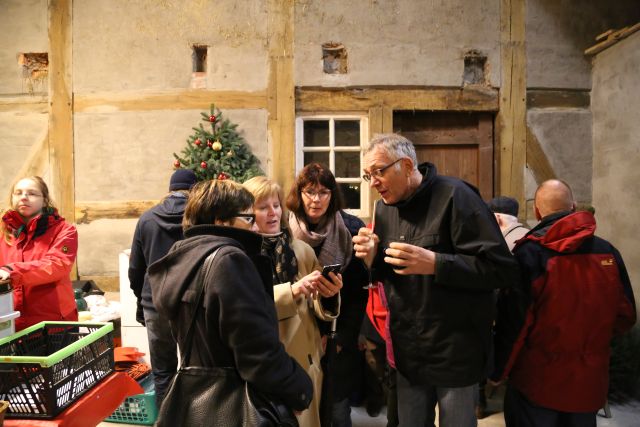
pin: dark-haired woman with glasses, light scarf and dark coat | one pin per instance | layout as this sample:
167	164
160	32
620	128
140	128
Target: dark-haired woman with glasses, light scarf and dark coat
316	217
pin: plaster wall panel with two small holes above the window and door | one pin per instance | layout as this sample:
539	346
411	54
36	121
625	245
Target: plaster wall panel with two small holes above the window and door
396	42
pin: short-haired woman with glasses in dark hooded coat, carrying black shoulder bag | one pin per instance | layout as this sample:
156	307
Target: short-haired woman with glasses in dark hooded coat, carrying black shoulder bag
237	324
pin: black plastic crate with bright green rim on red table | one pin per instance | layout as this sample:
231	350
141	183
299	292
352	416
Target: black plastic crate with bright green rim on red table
48	366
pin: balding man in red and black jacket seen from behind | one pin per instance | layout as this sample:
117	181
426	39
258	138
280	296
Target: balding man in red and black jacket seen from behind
554	330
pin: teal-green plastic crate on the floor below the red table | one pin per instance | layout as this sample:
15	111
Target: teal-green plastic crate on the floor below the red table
138	409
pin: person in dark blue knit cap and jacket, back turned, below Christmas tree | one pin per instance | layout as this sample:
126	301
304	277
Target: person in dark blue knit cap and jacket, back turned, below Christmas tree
157	230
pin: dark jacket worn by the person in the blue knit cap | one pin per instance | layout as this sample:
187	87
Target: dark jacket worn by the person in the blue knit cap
157	230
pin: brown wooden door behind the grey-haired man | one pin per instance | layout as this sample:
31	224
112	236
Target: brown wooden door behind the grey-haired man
460	144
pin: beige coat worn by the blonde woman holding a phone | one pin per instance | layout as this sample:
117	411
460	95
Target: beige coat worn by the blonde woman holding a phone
299	331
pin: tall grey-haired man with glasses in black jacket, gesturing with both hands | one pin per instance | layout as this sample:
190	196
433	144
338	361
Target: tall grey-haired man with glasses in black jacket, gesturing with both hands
439	252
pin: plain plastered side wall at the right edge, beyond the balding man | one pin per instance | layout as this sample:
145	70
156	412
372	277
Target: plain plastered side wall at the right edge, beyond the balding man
616	150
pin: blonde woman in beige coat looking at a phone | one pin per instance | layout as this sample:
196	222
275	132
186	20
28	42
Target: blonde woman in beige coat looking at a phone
300	291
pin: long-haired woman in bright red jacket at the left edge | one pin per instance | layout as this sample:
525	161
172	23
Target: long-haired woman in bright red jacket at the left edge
37	251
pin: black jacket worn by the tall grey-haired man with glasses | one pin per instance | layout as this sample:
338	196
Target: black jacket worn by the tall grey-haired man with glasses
441	324
